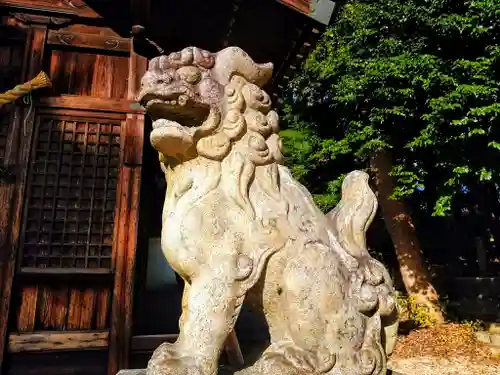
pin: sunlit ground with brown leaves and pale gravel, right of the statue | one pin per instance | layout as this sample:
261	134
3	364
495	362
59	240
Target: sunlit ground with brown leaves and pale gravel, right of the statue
451	349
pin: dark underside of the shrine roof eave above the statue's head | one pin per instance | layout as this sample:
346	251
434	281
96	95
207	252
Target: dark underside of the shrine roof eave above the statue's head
268	30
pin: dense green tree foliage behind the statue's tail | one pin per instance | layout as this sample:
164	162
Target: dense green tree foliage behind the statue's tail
418	77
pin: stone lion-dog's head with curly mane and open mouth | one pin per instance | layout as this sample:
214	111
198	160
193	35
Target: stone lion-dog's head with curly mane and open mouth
203	103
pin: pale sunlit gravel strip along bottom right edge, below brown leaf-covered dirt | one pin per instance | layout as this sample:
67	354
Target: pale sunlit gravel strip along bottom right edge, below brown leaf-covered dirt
442	366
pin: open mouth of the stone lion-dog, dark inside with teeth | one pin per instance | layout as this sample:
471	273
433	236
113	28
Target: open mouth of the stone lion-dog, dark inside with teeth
177	107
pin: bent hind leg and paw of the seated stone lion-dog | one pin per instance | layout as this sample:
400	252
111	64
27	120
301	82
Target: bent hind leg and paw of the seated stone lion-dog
324	332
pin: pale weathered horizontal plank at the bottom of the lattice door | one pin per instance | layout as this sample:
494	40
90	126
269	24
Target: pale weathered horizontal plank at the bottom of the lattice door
50	341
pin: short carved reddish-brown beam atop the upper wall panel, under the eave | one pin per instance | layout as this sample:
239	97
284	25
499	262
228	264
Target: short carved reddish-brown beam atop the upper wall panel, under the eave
84	40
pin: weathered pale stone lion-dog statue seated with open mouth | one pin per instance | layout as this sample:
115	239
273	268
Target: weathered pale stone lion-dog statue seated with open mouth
237	225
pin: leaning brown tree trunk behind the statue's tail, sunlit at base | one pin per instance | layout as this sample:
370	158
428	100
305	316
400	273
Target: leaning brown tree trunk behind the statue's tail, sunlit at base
415	275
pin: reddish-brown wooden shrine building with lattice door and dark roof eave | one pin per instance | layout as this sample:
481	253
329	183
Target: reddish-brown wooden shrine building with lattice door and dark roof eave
84	288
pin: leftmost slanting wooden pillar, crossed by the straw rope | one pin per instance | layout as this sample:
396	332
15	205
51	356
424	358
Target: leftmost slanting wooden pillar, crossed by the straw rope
11	197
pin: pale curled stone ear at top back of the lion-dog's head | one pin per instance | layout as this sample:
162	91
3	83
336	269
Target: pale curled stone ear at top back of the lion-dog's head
234	61
